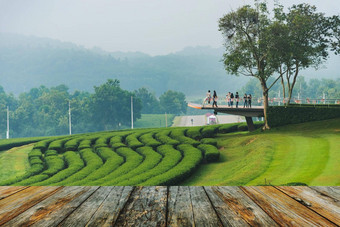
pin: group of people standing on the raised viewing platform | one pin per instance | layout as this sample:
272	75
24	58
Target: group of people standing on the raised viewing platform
230	98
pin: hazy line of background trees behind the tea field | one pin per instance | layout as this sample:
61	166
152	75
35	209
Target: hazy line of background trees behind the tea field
44	111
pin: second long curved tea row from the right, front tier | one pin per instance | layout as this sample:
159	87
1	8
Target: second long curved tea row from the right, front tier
171	157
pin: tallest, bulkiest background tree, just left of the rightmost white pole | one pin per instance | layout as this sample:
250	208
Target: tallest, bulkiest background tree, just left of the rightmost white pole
111	106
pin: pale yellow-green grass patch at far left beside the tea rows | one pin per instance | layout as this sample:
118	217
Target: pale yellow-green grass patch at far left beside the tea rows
14	162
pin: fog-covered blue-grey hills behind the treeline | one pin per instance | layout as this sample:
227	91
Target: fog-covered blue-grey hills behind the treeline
27	62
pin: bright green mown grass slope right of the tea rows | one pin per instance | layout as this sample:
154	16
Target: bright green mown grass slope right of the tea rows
307	153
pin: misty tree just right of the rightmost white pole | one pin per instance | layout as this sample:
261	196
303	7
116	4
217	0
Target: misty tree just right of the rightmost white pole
149	101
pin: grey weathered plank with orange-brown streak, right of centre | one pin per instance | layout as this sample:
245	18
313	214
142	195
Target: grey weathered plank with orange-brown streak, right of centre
235	208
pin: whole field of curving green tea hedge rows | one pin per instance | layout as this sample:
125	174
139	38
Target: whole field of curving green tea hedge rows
131	157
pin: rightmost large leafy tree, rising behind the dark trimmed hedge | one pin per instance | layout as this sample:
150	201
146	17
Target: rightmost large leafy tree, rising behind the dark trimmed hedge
302	39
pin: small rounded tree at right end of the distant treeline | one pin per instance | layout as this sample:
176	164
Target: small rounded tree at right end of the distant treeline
173	102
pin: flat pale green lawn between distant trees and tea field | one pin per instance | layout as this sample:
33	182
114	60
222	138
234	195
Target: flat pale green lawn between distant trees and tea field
154	121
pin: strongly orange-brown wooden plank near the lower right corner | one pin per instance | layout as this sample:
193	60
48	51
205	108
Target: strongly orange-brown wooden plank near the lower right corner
283	209
